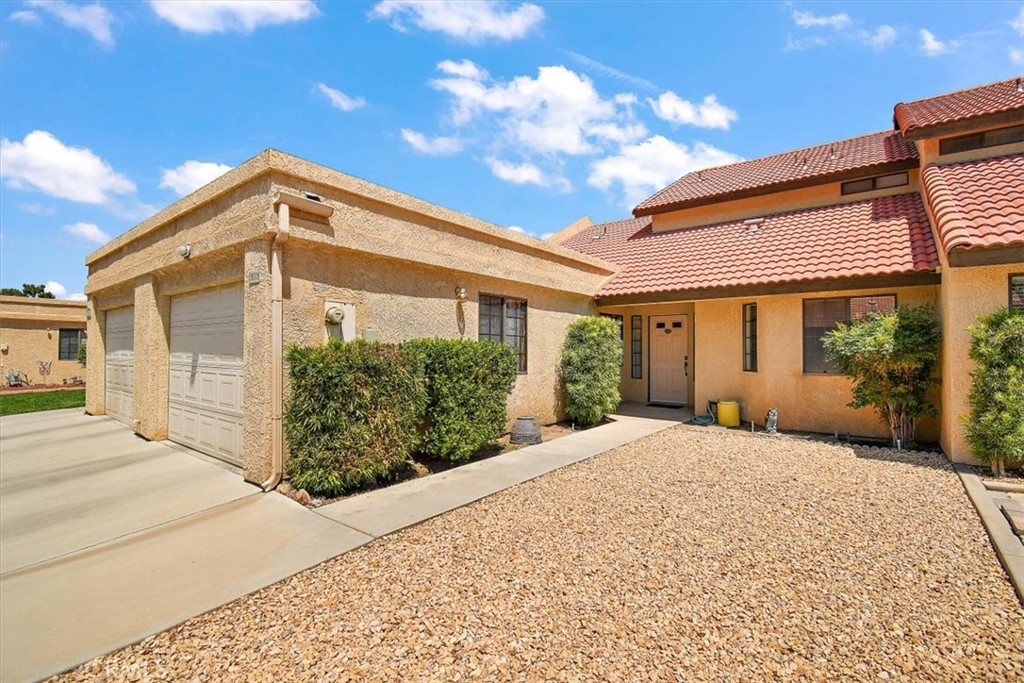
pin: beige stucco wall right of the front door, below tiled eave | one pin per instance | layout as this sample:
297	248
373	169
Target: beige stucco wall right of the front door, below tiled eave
812	403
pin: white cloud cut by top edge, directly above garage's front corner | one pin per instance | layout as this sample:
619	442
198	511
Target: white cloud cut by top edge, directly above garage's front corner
205	17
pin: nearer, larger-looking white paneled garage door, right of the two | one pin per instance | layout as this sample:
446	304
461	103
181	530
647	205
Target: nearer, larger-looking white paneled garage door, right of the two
205	391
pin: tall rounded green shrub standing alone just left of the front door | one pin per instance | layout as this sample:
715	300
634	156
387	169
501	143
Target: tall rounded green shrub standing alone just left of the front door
591	364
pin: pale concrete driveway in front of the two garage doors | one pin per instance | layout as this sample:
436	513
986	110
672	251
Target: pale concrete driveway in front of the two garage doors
107	539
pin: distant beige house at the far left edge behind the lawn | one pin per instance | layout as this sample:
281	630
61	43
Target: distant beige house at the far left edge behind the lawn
39	340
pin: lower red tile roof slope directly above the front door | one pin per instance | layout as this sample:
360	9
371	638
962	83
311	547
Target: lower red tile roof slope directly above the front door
880	237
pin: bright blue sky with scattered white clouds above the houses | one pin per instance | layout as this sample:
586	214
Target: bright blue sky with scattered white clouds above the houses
526	115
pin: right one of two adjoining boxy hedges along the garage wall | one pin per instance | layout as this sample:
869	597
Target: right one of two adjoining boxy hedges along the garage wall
468	386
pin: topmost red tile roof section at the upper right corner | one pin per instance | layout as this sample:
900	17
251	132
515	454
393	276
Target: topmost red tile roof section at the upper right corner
984	101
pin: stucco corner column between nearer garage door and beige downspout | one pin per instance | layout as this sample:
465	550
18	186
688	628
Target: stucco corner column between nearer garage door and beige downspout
257	356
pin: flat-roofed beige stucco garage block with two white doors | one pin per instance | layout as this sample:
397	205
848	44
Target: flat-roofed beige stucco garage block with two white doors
193	308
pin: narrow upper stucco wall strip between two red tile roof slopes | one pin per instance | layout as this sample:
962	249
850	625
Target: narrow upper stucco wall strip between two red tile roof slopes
791	200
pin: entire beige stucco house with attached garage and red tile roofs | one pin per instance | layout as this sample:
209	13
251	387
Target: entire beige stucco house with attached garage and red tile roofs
724	282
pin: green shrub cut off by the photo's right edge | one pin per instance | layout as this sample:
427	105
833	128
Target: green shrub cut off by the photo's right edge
996	424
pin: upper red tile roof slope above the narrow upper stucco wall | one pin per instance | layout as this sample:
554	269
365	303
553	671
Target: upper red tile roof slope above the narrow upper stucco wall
780	172
